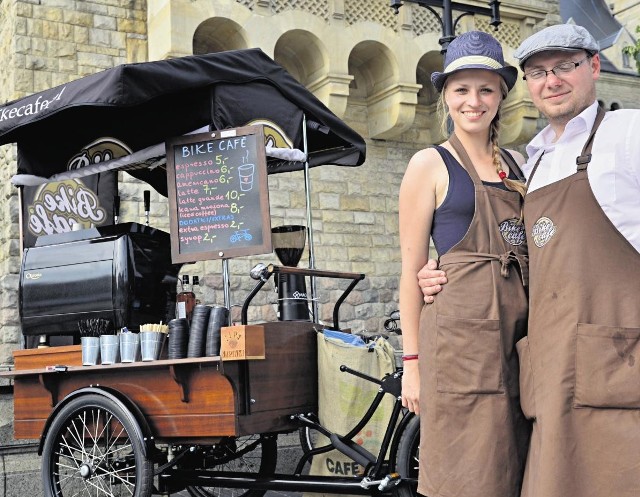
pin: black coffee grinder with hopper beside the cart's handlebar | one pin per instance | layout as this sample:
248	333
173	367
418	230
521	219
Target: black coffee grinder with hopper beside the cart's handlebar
288	244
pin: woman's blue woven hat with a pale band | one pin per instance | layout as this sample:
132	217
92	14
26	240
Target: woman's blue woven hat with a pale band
474	50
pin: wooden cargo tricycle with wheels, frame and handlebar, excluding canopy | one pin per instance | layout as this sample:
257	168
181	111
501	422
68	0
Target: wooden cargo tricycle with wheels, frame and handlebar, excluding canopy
205	425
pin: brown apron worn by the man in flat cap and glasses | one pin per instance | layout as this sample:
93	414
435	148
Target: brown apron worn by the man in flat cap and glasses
580	378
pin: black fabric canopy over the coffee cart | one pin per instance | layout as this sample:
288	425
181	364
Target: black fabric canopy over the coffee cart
142	105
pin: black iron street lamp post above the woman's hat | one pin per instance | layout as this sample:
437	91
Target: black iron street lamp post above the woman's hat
446	19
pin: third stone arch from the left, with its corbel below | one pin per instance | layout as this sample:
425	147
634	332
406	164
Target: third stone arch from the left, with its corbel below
390	102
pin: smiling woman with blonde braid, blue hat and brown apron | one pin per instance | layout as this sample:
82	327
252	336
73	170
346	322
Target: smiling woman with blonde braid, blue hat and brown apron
460	362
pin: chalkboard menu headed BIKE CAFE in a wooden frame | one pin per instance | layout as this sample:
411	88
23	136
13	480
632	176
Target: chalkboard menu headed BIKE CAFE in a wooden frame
218	195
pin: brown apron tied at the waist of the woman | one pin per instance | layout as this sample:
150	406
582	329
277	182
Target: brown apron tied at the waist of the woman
473	435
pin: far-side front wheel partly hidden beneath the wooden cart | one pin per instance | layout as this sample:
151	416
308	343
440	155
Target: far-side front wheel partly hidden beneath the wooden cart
256	454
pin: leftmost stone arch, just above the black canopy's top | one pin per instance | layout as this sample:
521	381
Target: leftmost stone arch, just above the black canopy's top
218	34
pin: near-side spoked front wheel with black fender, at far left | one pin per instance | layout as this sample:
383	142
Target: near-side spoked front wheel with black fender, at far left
92	449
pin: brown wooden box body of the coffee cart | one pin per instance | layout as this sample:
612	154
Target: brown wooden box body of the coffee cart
196	400
